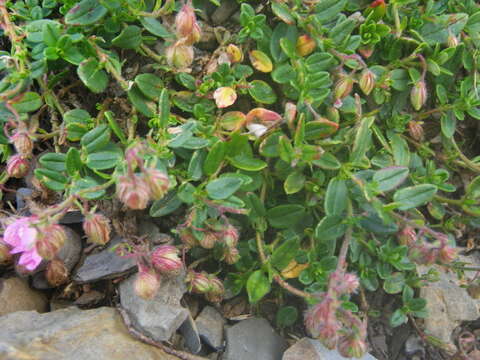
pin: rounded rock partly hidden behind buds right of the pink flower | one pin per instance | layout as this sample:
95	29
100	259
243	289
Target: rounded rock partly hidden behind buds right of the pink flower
69	253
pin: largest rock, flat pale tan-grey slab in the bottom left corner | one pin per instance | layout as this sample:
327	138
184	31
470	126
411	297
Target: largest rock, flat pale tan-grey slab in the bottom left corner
72	334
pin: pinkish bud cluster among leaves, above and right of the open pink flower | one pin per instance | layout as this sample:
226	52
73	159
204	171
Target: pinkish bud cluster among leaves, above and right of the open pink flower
136	189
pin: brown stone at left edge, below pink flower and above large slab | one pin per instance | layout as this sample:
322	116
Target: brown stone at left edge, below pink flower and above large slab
16	295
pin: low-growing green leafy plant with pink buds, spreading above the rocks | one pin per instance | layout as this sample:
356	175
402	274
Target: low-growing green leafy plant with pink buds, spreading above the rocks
323	147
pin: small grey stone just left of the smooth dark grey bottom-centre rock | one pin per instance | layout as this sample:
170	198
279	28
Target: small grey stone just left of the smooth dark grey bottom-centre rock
210	325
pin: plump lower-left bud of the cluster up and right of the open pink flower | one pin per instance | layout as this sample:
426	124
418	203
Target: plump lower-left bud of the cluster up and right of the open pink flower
133	191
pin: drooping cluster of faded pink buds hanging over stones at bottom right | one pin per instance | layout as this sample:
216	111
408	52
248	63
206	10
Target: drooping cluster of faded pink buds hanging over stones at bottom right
334	325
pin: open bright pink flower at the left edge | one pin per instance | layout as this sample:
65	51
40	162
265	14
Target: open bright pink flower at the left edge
21	236
